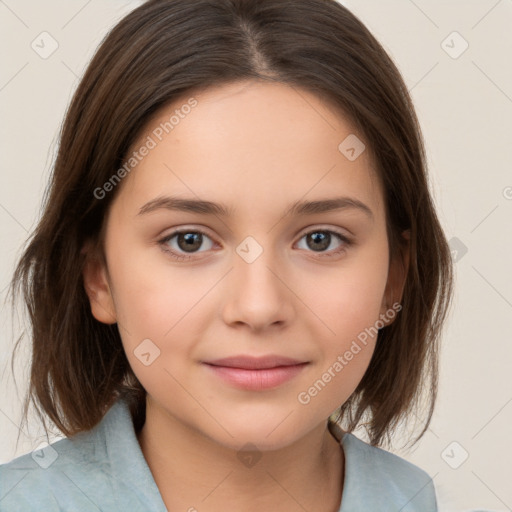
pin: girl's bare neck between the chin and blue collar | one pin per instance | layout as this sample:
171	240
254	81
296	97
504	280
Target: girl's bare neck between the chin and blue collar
192	471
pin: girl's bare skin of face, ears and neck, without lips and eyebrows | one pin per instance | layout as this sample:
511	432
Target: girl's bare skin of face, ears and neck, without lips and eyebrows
257	148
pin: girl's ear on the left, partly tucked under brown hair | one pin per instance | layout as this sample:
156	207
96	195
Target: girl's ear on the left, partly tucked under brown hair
97	286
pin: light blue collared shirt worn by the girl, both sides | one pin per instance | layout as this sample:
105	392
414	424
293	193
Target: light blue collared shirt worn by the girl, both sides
104	469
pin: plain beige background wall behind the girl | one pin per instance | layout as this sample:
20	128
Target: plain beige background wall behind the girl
464	101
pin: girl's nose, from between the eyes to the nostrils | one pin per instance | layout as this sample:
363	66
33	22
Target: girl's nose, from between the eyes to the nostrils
258	294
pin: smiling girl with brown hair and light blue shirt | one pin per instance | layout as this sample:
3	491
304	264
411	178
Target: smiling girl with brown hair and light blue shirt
189	338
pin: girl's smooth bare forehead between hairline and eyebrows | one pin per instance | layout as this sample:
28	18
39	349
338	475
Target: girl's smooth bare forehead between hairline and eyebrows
246	141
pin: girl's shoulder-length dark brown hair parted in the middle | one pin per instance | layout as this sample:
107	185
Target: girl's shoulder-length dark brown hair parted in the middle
159	52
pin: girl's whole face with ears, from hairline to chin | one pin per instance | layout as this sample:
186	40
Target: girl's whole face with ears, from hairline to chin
250	273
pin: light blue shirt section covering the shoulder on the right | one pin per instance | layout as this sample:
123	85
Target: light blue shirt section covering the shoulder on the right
379	480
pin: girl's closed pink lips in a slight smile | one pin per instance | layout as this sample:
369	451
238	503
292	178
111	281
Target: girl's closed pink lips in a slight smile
256	373
